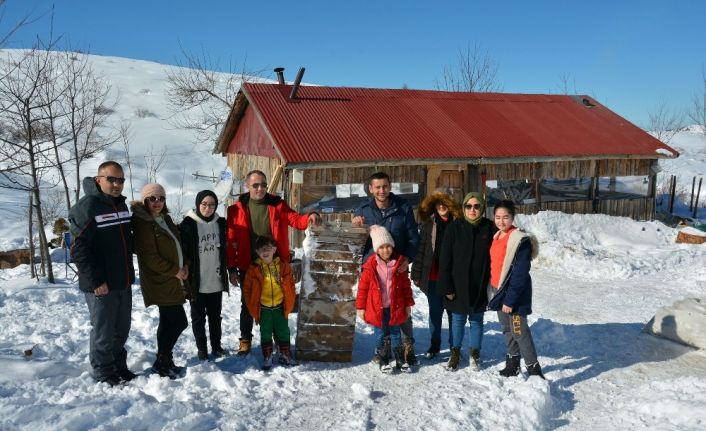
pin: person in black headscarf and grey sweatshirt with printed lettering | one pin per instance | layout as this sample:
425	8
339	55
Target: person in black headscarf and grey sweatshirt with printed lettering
203	239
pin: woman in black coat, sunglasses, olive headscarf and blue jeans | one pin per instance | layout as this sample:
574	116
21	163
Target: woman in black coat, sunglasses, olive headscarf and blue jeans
464	271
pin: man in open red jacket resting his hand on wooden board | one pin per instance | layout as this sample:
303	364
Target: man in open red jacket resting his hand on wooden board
258	213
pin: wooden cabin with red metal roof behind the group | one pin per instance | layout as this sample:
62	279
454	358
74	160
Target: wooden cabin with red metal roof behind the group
318	145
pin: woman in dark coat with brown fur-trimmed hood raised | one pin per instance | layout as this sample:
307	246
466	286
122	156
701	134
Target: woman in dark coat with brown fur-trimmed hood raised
435	212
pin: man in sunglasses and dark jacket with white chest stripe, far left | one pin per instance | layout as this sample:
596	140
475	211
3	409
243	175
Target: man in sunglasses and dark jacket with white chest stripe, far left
102	251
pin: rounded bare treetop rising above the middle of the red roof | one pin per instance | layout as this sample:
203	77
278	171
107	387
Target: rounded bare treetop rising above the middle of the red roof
474	71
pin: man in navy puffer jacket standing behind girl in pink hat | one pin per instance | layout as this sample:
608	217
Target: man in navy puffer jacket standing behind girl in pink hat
396	215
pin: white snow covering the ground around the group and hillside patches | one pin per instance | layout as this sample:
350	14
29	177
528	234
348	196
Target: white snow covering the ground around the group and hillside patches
598	280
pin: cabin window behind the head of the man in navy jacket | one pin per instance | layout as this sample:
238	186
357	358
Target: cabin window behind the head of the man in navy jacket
341	198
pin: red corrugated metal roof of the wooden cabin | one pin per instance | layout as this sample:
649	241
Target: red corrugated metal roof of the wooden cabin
361	124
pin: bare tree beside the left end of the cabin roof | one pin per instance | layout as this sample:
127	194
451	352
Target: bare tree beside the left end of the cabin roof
200	97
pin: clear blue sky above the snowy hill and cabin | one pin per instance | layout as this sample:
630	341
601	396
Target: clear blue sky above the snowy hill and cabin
629	54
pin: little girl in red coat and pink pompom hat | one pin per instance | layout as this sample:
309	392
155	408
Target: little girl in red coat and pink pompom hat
385	297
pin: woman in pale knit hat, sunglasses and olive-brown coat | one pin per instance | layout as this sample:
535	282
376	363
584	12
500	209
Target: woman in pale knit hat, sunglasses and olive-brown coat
163	272
